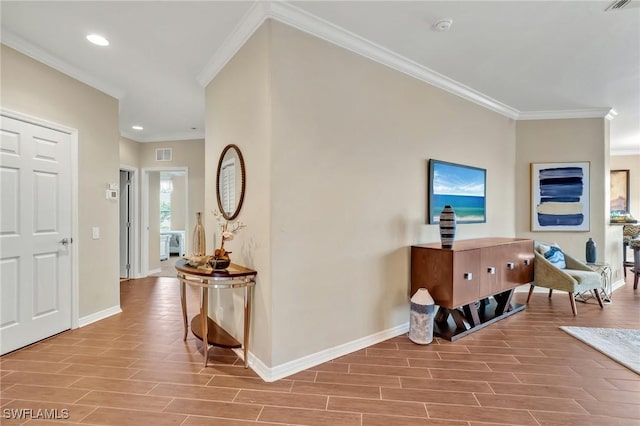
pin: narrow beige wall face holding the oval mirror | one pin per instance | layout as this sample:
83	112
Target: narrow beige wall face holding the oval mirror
238	112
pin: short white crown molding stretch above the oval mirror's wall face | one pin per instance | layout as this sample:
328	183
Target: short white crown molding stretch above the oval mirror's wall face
247	25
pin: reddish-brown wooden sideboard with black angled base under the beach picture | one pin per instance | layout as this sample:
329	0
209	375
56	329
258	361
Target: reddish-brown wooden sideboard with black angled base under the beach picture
462	280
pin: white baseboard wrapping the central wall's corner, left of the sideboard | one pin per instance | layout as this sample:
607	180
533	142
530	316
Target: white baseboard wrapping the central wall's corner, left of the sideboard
270	374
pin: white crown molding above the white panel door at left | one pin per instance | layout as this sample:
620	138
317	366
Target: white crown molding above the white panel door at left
26	48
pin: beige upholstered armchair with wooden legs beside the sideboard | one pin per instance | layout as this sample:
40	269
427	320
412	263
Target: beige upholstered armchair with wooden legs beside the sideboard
575	278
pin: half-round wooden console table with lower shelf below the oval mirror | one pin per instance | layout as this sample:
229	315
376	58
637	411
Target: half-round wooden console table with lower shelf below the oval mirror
235	276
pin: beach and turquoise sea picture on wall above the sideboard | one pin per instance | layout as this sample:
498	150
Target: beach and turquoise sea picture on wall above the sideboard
462	187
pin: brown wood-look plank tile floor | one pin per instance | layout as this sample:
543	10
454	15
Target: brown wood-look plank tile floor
134	369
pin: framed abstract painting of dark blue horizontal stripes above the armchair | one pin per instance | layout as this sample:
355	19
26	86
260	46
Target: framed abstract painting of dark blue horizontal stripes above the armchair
560	196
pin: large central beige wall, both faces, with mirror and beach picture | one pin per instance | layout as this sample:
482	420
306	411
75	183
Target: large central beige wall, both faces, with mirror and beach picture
342	144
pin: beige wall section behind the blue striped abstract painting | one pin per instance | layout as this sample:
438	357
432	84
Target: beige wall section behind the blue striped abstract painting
574	140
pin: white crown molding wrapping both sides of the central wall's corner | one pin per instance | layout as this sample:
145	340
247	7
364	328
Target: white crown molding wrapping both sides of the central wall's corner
304	21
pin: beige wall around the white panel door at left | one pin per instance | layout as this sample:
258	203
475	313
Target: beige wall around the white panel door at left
33	88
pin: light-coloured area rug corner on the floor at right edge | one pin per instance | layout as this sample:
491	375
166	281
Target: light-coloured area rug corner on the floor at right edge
621	345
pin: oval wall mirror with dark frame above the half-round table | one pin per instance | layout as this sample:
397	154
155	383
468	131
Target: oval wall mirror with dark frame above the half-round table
230	181
